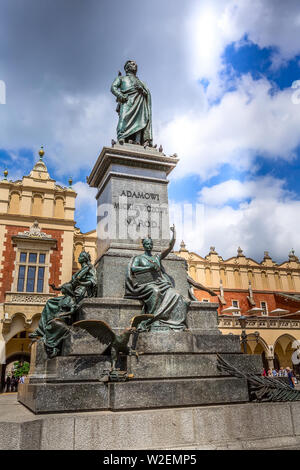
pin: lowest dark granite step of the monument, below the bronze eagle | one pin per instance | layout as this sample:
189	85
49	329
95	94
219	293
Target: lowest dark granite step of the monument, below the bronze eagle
89	396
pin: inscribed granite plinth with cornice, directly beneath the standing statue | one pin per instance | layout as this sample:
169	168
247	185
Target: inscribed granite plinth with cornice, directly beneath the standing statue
132	196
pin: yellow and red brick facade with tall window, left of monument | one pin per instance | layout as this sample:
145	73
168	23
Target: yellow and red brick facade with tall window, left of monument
39	245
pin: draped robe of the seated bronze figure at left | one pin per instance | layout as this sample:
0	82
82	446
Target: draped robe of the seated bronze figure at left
52	332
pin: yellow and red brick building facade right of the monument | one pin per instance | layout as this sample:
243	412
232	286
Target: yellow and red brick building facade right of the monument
267	293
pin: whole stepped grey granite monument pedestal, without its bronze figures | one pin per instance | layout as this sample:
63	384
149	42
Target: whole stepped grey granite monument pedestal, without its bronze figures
174	368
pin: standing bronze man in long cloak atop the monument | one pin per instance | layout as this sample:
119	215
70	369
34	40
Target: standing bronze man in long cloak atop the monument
134	107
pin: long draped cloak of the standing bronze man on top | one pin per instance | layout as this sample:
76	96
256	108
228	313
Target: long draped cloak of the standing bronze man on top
135	114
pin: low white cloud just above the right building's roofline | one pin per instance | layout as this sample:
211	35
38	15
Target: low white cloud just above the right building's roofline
268	222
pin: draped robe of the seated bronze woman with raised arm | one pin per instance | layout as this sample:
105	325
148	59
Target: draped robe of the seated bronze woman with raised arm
159	298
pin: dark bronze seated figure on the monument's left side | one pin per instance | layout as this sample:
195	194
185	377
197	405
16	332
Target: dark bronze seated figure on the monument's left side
51	327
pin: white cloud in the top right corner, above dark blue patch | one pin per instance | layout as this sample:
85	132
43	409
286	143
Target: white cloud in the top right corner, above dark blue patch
214	25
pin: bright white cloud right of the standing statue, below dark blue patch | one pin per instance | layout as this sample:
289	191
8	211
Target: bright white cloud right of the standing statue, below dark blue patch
246	122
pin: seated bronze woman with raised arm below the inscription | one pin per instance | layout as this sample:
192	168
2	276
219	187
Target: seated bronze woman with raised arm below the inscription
147	281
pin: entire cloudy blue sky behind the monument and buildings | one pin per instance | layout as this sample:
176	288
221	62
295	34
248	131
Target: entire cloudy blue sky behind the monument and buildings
220	75
